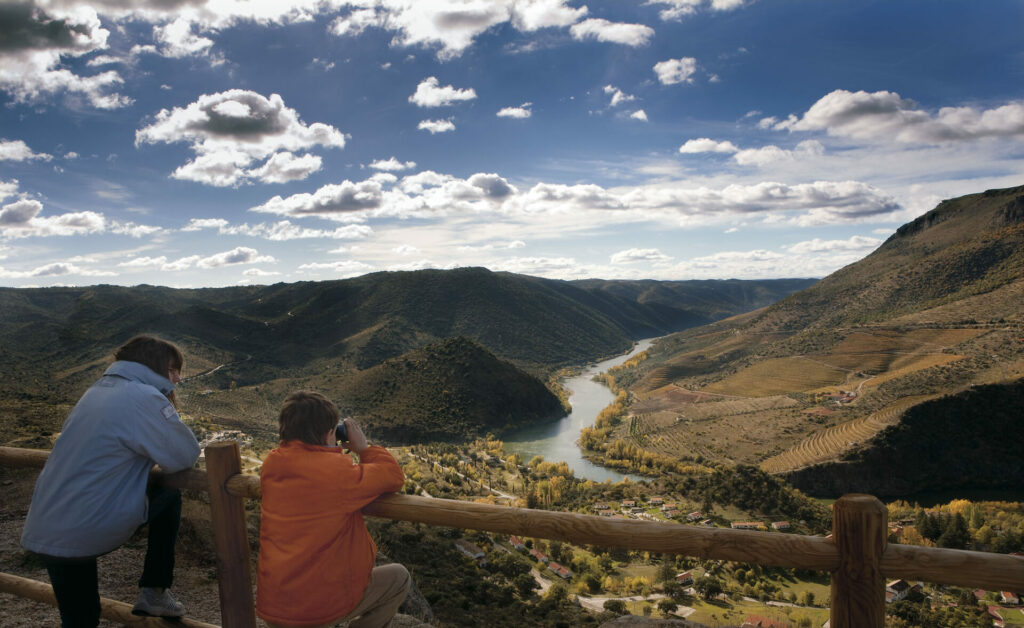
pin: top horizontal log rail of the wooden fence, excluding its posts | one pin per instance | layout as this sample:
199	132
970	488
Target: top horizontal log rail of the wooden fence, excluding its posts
991	571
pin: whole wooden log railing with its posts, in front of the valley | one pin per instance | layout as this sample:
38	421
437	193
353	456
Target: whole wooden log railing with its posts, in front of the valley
858	557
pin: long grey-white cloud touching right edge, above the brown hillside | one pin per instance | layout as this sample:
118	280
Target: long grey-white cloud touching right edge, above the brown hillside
886	116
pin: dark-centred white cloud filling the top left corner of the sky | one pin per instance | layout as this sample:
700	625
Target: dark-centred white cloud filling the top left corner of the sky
34	44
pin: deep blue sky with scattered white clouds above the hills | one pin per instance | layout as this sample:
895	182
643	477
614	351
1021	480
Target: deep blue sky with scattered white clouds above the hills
222	143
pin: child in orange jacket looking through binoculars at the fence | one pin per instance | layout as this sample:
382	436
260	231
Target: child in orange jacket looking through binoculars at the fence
317	559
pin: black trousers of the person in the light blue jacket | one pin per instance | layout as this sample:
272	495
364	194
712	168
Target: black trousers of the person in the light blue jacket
75	580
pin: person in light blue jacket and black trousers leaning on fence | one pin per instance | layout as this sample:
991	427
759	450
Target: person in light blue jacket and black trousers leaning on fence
92	495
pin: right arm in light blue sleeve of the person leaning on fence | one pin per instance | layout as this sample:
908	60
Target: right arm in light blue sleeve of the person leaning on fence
160	435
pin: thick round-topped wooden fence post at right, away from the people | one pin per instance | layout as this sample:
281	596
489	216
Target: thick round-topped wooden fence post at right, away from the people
861	528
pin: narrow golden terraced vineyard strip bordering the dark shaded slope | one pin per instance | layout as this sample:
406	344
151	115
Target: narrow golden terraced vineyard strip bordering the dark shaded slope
830	443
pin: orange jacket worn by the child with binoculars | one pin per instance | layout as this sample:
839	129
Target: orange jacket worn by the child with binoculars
316	555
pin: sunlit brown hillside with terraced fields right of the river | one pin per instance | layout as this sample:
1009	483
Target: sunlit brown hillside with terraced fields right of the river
937	309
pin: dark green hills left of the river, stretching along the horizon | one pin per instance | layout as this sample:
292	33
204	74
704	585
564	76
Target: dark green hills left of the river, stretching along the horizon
339	336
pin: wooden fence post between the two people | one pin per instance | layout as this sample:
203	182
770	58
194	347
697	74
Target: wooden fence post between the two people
231	537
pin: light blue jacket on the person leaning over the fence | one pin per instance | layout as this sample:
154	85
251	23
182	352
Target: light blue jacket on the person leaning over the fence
91	496
